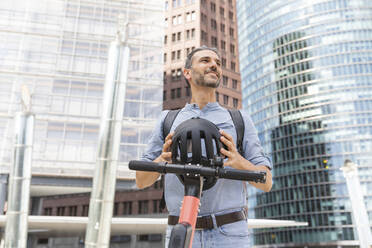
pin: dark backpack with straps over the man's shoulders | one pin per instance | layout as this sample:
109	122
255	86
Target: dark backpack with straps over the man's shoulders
236	117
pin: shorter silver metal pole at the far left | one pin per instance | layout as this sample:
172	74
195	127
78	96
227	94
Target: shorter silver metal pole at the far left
19	182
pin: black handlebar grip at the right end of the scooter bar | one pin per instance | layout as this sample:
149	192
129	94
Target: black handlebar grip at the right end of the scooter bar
243	175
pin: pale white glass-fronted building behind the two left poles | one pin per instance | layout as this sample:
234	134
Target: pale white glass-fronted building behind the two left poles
59	49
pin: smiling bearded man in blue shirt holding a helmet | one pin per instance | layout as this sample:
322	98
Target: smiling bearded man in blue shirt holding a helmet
225	203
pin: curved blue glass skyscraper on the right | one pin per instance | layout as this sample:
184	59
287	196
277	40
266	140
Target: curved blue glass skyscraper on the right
306	72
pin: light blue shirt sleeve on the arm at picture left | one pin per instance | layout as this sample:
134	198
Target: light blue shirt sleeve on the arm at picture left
156	141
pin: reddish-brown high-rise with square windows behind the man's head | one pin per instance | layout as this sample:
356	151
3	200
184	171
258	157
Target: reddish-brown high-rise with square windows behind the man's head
190	24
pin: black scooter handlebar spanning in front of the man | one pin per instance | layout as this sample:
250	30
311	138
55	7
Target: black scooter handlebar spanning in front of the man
227	173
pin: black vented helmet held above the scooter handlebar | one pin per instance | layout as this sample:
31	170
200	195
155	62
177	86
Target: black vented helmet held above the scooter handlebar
192	137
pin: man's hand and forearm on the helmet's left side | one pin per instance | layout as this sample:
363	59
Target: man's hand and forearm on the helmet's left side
144	178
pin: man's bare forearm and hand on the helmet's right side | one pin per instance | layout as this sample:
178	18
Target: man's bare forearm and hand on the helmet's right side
236	161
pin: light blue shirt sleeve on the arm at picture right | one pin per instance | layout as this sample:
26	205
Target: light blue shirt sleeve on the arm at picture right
253	150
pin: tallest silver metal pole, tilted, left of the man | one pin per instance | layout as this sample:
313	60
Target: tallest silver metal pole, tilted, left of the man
102	197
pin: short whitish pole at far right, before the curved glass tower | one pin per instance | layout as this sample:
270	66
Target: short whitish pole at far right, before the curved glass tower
363	227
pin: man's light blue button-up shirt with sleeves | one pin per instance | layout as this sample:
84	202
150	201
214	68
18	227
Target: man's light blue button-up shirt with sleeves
226	194
